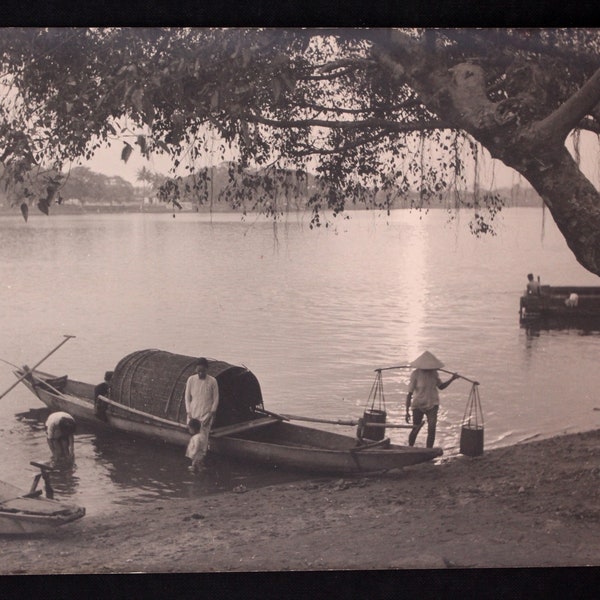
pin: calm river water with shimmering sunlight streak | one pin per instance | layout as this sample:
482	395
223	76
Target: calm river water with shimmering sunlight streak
311	313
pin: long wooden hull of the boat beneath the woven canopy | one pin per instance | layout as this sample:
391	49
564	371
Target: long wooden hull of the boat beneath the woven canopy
279	444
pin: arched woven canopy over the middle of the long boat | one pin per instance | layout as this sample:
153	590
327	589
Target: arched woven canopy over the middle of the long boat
153	381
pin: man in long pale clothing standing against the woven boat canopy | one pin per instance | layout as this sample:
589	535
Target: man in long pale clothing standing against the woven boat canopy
202	400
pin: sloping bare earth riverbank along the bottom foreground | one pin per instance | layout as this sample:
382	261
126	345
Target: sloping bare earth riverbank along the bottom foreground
535	504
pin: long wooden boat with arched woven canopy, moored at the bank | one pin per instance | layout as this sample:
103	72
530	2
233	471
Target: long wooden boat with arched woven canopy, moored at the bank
143	396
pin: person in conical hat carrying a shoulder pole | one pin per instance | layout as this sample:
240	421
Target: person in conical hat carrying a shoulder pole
423	395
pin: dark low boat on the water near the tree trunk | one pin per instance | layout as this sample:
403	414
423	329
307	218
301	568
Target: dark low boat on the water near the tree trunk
561	302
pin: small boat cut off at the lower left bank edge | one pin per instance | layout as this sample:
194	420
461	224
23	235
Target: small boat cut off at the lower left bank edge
27	512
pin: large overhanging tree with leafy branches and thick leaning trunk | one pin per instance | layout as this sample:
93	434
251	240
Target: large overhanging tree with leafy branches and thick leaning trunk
374	113
